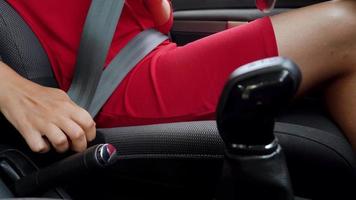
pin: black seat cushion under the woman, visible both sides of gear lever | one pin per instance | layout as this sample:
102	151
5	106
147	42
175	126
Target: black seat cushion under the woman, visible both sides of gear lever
321	163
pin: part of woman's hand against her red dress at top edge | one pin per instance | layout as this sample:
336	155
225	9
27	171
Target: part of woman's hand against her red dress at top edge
160	10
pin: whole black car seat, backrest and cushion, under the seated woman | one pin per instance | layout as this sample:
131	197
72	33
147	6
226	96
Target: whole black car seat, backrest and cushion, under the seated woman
189	155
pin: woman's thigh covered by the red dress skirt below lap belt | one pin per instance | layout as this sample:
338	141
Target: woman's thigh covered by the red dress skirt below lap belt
184	83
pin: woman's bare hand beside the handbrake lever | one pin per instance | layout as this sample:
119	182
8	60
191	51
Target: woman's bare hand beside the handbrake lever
44	115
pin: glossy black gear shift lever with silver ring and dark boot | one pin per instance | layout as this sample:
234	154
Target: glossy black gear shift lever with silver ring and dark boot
249	103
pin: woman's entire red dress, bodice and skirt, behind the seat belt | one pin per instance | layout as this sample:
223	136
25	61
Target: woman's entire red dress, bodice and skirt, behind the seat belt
172	83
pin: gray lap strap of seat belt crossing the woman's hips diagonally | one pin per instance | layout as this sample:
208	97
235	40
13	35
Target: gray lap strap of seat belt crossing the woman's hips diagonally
121	65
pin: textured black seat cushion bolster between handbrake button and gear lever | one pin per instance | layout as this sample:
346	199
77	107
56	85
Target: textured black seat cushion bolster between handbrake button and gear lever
190	139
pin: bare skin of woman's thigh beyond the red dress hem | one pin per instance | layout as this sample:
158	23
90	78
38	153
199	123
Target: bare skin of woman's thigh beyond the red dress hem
320	39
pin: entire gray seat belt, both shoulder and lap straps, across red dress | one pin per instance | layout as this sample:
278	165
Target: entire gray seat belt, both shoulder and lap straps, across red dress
91	85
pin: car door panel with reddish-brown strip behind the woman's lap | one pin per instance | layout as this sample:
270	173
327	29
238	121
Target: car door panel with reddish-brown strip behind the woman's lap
200	18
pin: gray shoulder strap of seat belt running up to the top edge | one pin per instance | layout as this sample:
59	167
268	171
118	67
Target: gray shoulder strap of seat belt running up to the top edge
99	29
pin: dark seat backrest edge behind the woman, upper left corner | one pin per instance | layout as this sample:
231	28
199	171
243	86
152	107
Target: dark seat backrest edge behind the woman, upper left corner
20	48
